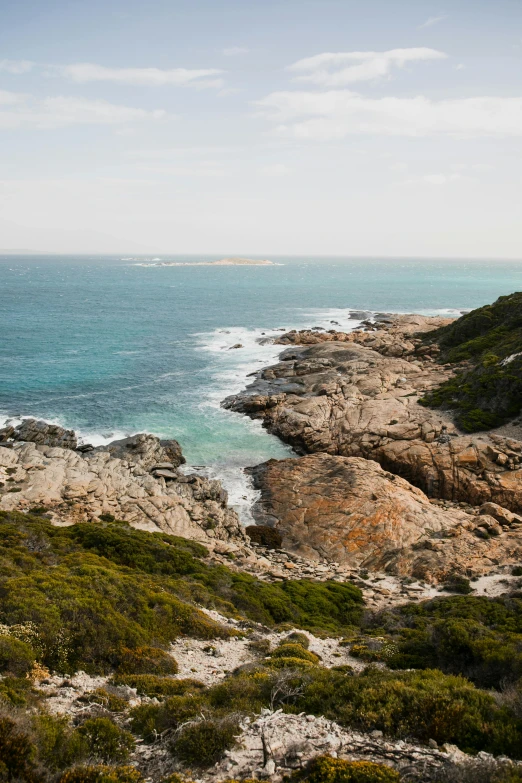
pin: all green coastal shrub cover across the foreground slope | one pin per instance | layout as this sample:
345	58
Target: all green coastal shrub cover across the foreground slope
109	599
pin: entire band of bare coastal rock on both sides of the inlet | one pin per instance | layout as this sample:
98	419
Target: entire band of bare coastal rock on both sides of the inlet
384	485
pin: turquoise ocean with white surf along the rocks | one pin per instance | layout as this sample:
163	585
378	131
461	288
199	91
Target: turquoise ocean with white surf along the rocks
108	347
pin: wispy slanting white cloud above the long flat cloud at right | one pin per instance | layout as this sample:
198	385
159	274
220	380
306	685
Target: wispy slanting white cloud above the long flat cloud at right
337	69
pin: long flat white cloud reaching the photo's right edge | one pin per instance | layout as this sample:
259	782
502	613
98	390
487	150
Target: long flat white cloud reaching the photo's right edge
337	114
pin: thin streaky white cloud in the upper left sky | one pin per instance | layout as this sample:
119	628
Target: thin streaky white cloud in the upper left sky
82	73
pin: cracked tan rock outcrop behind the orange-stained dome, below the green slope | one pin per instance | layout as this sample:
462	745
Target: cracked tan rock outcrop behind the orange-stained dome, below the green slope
359	397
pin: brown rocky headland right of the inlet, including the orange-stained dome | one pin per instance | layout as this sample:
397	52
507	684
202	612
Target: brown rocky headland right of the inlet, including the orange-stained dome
389	484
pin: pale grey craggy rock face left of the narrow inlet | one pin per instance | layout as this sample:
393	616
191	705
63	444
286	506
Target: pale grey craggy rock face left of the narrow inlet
76	488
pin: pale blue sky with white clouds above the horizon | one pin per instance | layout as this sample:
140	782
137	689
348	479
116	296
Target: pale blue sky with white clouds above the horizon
262	127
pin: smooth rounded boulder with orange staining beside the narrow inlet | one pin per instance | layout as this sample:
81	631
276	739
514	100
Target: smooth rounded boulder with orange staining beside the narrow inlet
345	509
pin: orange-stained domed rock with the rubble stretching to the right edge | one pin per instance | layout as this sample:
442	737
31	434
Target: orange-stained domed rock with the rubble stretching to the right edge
351	511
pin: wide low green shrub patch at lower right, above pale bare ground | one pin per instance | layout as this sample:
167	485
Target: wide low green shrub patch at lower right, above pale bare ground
425	705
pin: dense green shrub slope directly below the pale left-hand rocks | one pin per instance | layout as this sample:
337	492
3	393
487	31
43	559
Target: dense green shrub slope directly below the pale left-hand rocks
89	595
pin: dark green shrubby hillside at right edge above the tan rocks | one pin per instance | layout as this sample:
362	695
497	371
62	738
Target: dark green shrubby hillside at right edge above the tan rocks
486	343
